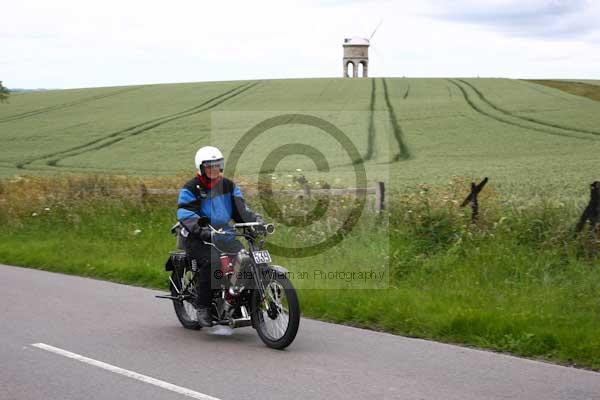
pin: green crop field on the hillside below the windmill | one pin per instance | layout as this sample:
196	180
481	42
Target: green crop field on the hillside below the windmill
528	138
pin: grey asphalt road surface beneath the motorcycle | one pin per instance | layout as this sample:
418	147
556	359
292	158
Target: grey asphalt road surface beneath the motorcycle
128	328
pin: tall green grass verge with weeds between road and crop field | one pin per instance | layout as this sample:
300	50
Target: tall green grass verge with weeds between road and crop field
518	281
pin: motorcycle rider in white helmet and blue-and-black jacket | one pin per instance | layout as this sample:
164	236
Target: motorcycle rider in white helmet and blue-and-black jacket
210	198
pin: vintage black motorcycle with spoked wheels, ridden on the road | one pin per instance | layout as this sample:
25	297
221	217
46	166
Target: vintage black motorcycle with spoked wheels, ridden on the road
248	290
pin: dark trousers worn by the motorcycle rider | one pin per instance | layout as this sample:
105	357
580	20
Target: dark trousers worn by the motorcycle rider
207	259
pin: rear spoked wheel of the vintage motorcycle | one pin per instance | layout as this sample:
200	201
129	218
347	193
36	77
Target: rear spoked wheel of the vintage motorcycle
185	310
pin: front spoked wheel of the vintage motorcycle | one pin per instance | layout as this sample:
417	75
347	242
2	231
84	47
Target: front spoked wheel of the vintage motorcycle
277	316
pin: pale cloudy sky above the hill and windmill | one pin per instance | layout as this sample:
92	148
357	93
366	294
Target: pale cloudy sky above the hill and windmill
71	44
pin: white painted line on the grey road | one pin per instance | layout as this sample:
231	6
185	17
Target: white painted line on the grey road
127	373
